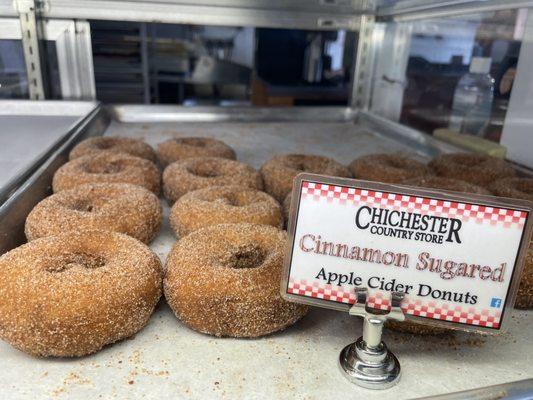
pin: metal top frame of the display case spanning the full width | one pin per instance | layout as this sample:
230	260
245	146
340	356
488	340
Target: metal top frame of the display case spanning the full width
298	14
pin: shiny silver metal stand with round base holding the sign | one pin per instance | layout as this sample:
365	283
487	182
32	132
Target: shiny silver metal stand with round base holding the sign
368	362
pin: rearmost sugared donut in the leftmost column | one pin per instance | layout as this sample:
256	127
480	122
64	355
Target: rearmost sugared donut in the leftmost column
94	145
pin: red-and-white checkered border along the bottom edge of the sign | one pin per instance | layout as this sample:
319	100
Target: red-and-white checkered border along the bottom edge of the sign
431	309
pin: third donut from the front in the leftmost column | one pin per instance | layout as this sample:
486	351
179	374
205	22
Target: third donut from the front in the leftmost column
108	167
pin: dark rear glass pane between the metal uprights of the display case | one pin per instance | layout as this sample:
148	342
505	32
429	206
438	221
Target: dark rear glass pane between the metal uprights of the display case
193	65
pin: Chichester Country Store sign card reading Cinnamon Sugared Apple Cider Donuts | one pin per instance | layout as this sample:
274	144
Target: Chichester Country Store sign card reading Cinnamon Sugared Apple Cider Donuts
456	257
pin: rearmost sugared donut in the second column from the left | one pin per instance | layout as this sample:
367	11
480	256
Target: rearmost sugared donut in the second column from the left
187	147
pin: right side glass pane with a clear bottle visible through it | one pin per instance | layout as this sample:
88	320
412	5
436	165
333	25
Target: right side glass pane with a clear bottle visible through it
461	71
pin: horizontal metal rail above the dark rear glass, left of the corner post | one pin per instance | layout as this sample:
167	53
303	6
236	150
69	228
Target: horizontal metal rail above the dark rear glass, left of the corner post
322	14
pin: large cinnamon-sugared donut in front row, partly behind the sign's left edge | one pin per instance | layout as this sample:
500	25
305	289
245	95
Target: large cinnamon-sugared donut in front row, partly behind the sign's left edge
224	280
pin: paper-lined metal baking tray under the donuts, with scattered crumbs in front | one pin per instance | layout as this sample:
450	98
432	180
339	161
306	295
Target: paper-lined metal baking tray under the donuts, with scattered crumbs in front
166	360
